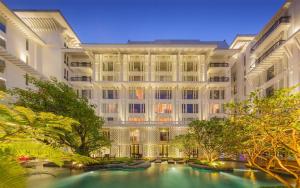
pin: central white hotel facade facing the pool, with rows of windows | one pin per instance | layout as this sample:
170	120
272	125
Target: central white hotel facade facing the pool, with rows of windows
148	92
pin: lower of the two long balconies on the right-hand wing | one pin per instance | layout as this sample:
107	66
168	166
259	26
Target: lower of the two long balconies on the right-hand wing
267	59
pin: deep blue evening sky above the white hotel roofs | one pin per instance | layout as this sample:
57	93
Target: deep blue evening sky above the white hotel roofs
116	21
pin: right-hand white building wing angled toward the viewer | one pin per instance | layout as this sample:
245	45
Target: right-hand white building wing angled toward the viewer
271	59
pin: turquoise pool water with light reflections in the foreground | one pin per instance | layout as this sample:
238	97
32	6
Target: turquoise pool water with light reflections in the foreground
166	176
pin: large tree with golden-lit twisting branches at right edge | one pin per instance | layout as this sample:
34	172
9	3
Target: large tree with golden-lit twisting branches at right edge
270	132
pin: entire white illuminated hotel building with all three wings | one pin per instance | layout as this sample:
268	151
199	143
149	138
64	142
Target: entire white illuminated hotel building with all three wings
148	91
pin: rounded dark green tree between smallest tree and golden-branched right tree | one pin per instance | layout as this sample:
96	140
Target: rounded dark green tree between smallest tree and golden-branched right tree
213	137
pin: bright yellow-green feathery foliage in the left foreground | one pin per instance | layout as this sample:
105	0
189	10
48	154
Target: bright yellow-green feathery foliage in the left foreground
20	132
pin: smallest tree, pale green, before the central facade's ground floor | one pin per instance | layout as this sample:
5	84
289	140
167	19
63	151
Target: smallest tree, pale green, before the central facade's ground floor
185	143
